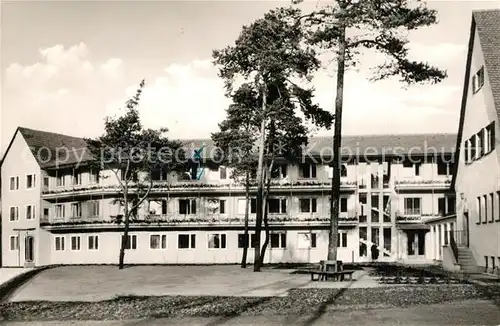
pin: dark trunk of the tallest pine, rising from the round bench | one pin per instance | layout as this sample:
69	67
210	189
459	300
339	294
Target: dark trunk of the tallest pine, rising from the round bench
337	140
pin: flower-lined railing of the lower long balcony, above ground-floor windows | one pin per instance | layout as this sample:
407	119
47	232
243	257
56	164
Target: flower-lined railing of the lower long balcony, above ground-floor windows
192	219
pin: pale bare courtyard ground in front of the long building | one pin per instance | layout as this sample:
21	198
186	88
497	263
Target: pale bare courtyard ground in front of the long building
92	283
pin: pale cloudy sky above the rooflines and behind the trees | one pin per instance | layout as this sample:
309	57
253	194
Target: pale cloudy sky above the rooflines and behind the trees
68	64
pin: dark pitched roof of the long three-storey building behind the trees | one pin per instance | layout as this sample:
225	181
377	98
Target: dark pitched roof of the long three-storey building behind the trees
52	149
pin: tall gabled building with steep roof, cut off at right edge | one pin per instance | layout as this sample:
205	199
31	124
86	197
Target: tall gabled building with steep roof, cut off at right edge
477	181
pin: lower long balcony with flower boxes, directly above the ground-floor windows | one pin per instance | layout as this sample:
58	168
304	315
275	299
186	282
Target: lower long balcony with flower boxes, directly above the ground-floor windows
174	219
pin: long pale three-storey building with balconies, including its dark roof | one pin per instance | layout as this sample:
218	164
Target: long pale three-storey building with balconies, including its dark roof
58	211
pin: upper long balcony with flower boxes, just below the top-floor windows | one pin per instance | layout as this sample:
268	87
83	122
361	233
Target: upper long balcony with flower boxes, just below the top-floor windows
192	186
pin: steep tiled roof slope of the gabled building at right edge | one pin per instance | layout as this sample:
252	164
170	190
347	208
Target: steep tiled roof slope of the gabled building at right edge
488	29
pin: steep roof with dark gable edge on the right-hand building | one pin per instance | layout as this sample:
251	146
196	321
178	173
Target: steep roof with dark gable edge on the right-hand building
487	24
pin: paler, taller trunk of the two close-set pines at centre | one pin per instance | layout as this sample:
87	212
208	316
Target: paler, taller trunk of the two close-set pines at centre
260	181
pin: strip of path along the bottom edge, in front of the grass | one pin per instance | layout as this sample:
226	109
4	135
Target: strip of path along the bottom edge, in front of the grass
471	312
